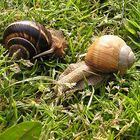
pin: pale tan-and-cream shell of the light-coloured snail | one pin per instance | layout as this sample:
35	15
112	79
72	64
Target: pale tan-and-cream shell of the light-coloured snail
108	54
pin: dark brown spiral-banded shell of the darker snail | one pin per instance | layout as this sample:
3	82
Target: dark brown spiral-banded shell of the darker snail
29	36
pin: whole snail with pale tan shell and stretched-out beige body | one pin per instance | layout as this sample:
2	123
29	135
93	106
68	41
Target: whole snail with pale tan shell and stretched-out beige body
108	54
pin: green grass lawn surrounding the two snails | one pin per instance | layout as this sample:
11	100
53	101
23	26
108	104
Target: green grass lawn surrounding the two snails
110	112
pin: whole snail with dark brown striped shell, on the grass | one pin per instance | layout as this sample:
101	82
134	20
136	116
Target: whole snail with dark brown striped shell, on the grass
31	40
